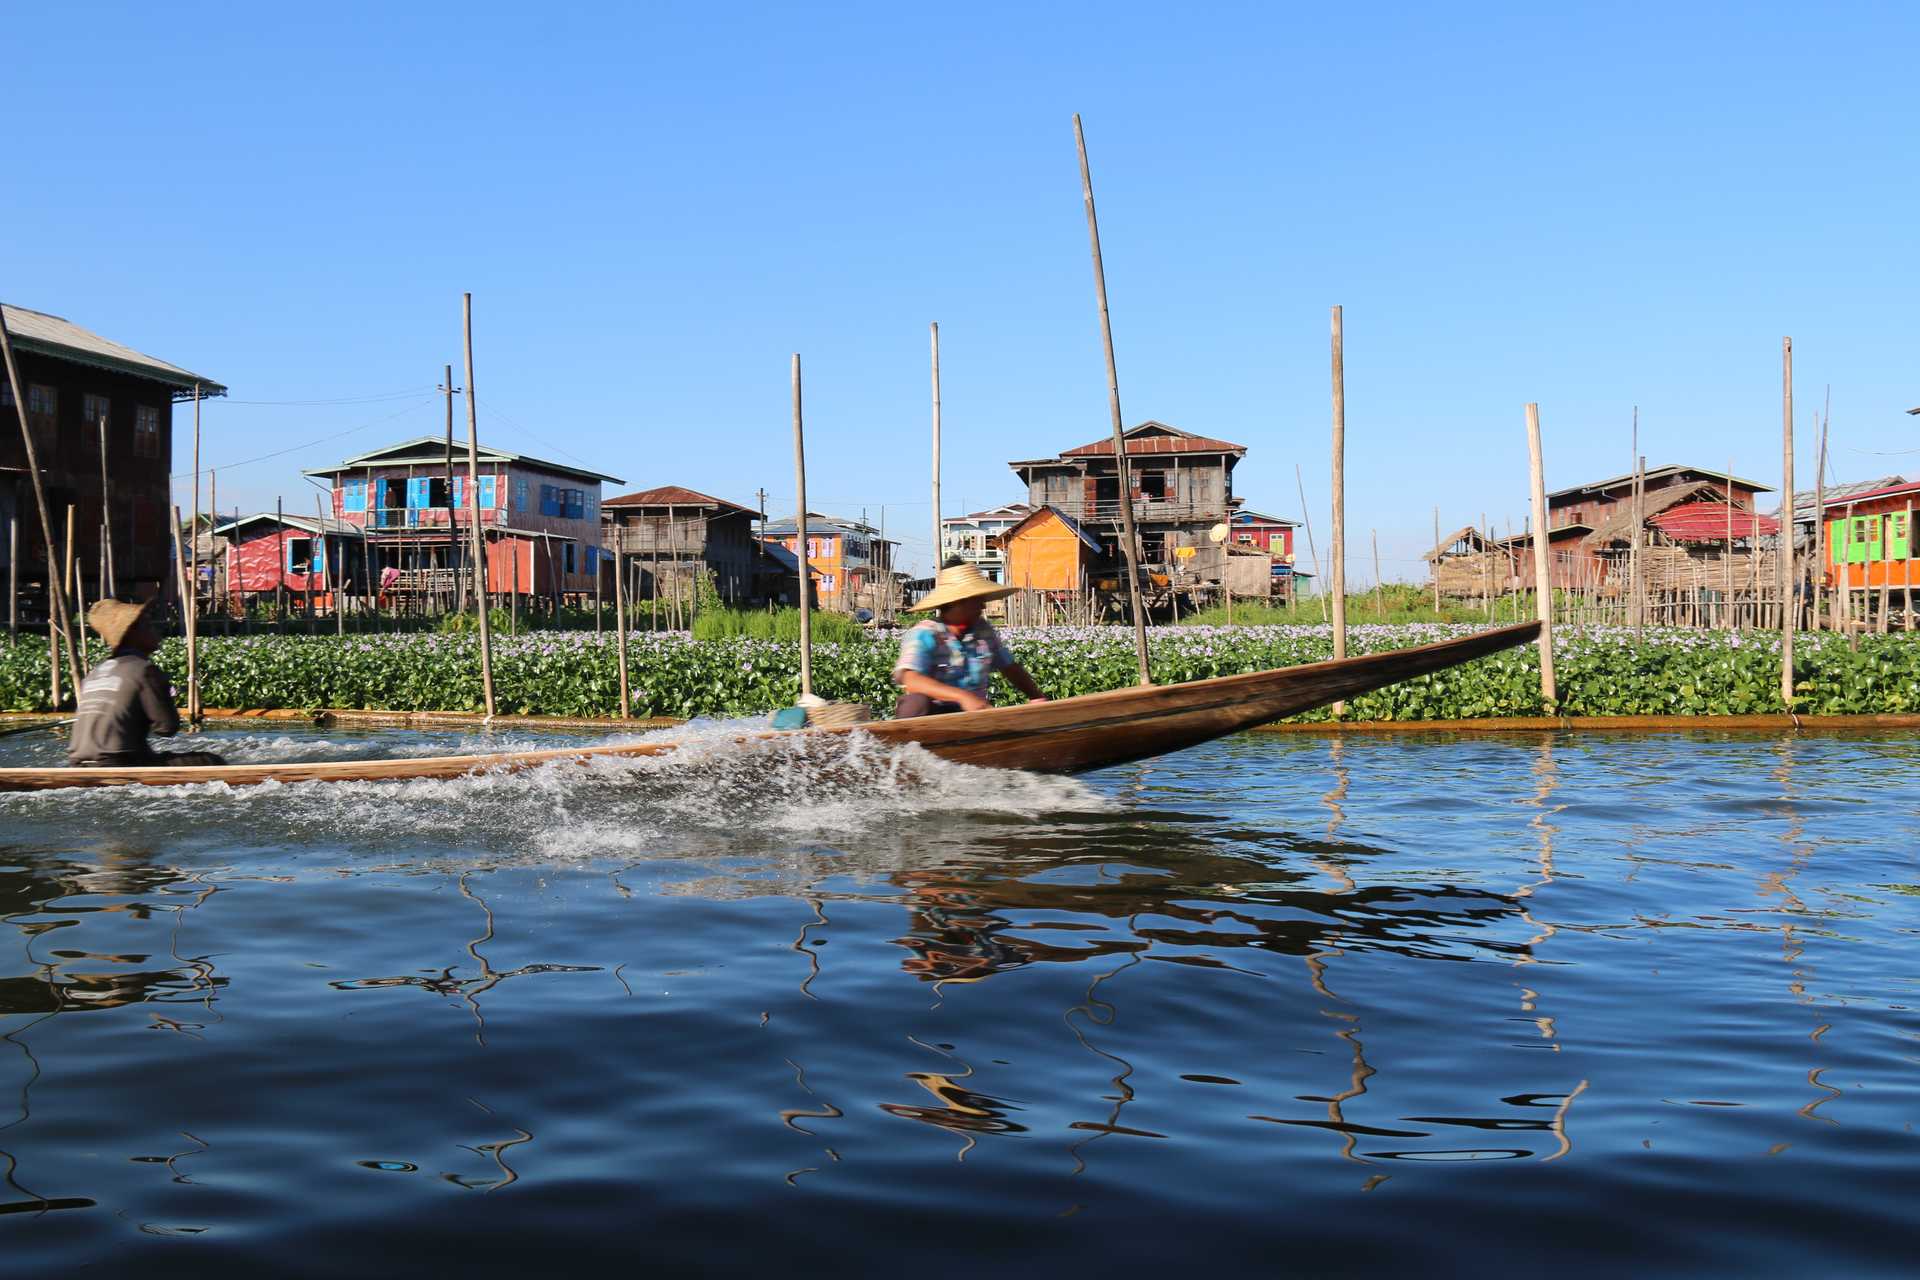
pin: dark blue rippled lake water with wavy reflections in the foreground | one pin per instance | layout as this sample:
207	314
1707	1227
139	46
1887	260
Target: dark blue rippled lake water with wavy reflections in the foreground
1280	1005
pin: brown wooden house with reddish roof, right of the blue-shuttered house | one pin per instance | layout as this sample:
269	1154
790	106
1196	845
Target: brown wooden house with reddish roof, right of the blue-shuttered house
679	533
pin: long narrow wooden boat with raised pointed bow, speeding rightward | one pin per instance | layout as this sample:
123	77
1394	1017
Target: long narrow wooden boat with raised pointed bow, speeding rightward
1067	736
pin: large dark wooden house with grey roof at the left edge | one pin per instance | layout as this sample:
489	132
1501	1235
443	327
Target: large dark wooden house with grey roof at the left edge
72	381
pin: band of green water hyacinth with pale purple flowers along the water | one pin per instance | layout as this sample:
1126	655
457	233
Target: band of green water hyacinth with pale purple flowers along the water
1602	671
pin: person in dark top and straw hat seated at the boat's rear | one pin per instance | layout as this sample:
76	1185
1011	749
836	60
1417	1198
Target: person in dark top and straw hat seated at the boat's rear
128	698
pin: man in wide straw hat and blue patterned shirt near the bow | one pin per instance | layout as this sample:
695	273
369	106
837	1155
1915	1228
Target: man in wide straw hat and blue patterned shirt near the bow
948	661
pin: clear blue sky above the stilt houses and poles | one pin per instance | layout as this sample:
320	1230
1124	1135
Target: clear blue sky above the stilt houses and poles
656	206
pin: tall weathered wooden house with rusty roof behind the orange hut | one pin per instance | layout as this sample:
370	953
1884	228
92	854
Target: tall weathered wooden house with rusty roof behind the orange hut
1182	488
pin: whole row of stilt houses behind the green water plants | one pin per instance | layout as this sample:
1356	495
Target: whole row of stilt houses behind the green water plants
391	529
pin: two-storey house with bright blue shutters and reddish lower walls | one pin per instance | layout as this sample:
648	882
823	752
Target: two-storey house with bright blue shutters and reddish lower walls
540	521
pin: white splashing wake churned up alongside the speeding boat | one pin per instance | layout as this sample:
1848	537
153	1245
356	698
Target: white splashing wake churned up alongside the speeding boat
694	801
